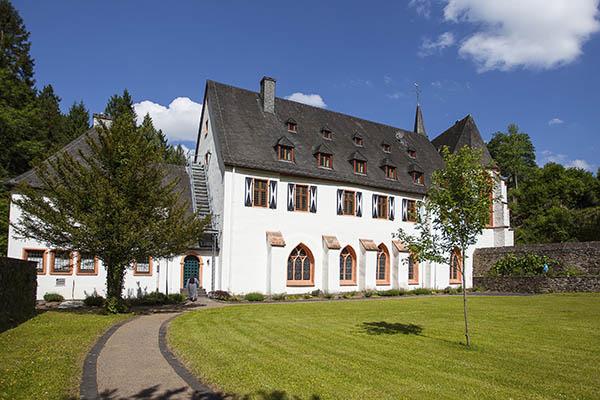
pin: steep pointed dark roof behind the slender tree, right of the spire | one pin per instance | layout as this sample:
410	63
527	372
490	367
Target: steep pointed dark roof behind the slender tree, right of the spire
463	133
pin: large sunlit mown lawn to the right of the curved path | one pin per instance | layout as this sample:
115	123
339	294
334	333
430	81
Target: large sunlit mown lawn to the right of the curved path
534	347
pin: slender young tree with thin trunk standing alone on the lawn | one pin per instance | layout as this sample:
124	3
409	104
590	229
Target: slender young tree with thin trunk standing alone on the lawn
455	212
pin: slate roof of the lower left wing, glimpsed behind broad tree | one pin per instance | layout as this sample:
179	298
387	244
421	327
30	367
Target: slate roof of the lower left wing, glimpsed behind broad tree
80	144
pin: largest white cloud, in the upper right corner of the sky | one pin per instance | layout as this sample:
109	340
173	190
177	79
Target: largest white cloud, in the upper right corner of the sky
539	34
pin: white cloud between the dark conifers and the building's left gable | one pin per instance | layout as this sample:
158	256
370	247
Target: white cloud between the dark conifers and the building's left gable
178	121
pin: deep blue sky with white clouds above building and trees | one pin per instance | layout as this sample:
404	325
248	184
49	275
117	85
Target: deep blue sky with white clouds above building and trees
531	62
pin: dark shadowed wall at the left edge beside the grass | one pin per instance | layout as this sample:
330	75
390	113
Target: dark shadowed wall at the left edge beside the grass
18	286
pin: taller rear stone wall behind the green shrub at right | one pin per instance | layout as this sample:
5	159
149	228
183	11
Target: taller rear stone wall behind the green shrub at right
583	257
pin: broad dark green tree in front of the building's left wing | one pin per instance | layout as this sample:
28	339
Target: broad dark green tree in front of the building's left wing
115	202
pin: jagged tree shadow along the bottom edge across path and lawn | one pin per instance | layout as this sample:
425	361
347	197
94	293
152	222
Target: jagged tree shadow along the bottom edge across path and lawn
154	393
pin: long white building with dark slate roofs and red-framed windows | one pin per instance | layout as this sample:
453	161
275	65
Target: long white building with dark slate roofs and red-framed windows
302	198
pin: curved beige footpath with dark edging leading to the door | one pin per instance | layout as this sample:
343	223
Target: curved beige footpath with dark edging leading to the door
132	361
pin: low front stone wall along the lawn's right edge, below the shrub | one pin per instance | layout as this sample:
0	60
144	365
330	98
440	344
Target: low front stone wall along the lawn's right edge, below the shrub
538	284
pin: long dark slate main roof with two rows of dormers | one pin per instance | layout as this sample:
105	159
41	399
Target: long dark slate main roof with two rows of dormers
245	136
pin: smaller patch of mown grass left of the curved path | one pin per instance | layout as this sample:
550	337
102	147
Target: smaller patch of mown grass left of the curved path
43	357
